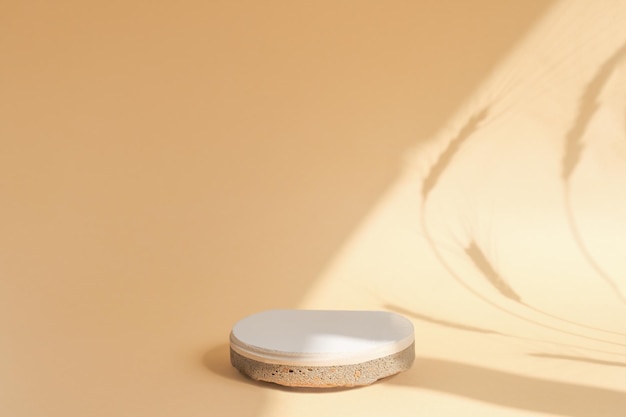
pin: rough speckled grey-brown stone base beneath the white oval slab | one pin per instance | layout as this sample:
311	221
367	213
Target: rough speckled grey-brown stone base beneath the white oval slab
363	373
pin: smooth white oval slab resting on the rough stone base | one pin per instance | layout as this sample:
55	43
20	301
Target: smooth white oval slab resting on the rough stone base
321	337
